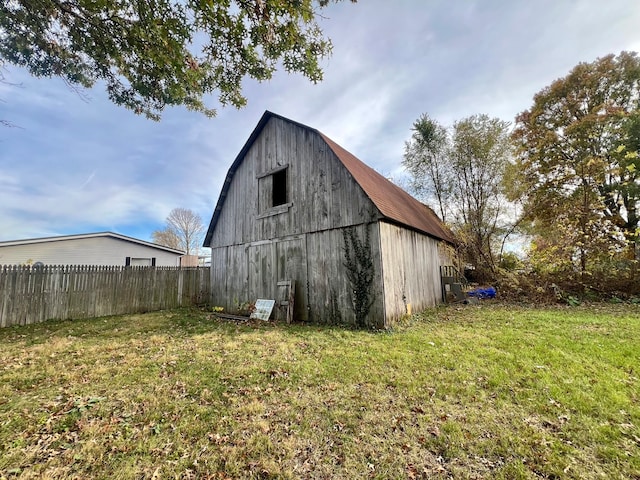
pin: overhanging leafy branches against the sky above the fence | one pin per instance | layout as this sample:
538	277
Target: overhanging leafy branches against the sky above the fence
154	53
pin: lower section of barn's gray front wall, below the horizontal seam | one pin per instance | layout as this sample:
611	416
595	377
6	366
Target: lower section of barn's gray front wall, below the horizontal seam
243	273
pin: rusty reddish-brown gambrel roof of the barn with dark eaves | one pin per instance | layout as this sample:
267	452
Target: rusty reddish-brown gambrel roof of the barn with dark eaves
394	203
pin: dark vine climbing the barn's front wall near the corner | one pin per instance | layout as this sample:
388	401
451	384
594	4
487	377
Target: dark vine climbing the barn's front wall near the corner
360	272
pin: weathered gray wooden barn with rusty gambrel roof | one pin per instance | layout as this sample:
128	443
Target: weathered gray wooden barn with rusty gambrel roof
287	207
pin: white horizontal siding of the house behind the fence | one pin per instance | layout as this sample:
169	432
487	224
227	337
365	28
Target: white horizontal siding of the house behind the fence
84	251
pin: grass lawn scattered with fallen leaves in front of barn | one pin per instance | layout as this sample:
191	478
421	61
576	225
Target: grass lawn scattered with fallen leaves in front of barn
485	391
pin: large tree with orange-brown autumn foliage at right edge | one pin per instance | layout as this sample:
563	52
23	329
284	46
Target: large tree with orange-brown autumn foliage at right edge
578	169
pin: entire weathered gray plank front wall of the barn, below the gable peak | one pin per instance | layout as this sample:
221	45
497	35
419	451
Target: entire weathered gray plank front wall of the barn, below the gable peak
255	246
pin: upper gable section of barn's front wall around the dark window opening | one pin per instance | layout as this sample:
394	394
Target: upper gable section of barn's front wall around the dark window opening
322	195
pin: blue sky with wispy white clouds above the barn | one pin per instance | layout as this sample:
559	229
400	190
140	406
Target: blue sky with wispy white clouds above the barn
78	164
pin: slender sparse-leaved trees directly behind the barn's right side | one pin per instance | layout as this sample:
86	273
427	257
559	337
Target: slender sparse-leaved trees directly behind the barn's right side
463	170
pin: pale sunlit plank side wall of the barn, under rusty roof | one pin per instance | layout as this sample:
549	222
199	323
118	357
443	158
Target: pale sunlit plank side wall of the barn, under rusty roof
411	270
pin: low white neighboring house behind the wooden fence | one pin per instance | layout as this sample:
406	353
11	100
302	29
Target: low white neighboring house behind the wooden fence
105	248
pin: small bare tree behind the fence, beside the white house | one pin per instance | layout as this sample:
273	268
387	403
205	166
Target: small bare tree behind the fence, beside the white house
183	231
